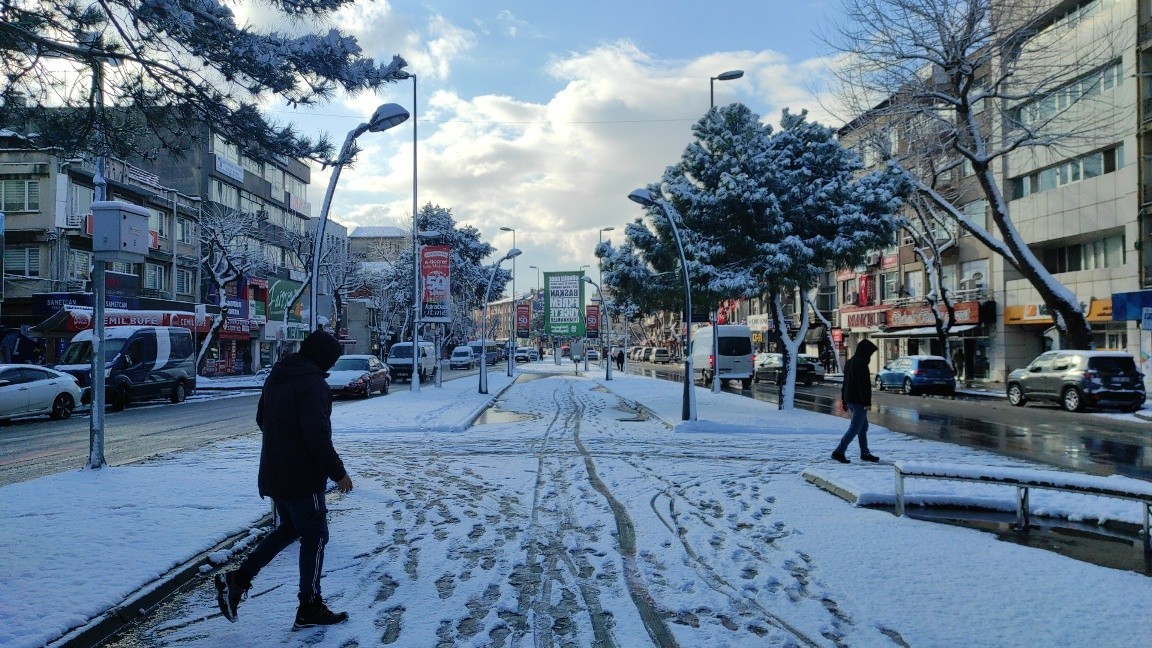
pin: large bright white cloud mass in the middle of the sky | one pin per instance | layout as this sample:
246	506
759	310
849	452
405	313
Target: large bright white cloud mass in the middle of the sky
559	171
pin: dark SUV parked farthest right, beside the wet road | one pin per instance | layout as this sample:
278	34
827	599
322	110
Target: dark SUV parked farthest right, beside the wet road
1080	379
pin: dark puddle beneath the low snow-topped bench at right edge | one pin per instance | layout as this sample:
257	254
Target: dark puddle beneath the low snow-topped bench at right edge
1089	544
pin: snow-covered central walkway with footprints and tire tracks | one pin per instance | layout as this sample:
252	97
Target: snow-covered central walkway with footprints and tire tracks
438	525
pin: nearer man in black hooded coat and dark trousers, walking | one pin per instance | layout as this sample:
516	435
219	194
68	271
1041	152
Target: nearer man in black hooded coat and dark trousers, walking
297	462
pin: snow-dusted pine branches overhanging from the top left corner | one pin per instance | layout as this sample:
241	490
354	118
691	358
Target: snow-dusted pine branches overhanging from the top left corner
148	72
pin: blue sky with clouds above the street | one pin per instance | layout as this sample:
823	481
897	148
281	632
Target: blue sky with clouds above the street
544	116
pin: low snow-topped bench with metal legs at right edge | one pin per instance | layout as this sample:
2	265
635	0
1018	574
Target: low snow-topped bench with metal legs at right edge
1025	479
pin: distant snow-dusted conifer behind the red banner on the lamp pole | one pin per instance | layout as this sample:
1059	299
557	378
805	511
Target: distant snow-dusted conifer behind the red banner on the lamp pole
469	276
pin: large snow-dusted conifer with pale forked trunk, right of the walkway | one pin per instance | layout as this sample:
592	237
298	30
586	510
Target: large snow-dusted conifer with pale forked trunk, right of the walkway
768	213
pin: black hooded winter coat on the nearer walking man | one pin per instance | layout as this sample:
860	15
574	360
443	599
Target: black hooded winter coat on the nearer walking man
295	416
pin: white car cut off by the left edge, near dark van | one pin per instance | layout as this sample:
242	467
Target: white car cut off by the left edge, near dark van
27	390
